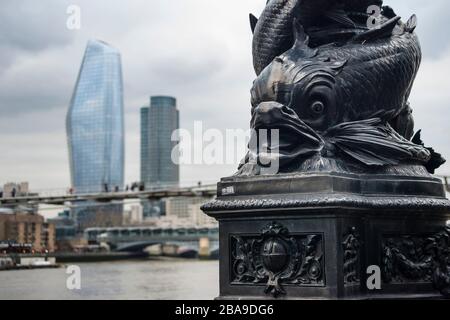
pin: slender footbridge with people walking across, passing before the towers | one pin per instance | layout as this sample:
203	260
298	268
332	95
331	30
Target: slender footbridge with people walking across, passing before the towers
152	194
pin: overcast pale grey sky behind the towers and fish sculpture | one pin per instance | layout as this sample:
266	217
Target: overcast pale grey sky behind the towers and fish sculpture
196	50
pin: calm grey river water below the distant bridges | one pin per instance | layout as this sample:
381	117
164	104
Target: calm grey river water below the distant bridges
143	279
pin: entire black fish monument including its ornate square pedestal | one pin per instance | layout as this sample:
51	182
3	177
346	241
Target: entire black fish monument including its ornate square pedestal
352	190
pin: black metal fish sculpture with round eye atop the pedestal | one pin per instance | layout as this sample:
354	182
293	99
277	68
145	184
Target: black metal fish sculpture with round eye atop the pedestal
336	88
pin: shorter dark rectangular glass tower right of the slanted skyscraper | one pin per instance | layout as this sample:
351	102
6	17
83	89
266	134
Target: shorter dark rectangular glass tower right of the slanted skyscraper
158	122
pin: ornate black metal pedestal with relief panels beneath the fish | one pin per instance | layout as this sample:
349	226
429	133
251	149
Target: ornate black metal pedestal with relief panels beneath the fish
316	236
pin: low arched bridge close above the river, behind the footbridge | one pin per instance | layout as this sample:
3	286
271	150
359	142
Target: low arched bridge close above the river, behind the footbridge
132	239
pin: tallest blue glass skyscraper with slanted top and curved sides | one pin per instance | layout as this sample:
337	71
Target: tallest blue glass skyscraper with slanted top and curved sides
95	132
